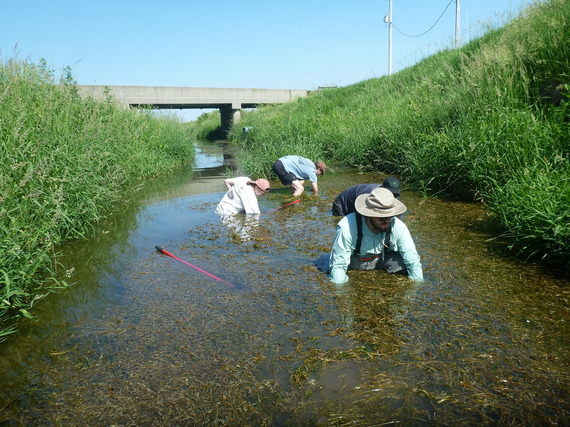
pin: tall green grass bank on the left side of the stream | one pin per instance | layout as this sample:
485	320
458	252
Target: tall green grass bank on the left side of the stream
65	160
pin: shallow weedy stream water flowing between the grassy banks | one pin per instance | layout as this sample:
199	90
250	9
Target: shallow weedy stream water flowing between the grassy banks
144	339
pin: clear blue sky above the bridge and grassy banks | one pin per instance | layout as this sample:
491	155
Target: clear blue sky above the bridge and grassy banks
273	44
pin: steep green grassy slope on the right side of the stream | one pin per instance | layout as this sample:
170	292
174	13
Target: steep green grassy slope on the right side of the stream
489	121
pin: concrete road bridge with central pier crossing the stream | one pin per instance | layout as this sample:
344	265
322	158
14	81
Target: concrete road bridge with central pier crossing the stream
228	101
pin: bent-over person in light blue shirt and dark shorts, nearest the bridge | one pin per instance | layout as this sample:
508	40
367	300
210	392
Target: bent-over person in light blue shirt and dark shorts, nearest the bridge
293	170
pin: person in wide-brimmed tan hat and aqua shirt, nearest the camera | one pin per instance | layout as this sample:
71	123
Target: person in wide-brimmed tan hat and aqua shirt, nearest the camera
374	238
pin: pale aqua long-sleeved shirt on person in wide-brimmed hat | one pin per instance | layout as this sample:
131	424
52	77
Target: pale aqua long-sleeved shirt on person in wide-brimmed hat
344	244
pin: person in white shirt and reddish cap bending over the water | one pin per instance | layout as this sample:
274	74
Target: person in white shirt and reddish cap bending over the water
241	195
